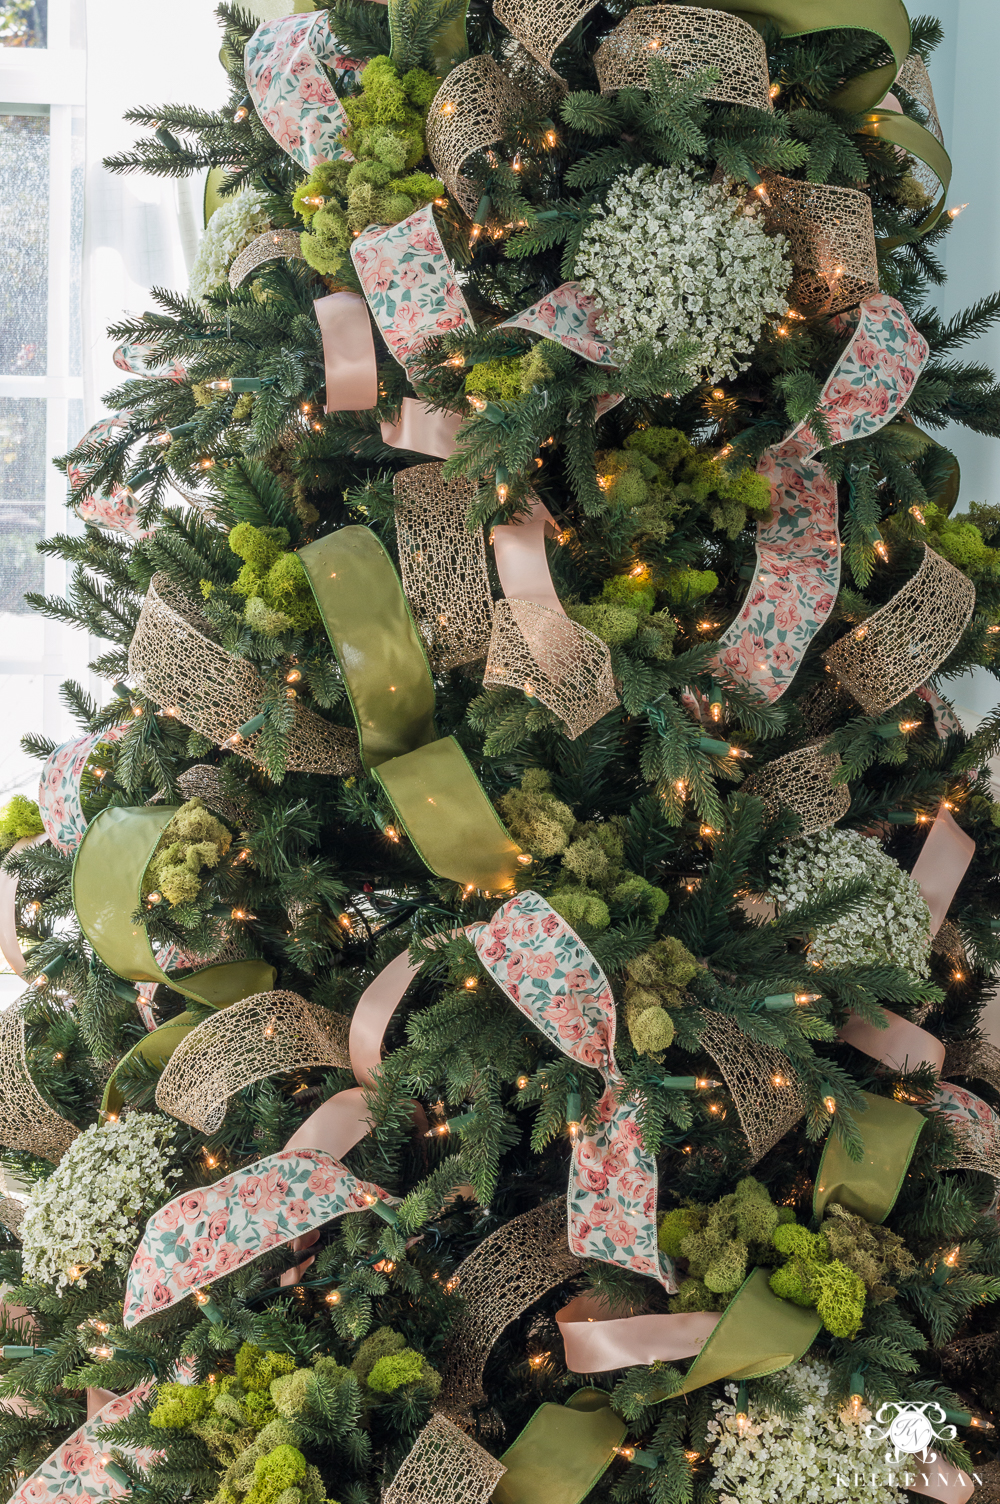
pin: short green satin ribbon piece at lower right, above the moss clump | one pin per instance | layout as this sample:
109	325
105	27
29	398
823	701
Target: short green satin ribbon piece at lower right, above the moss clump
870	1187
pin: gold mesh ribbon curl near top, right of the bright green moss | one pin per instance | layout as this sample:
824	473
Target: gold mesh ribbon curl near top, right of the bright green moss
473	111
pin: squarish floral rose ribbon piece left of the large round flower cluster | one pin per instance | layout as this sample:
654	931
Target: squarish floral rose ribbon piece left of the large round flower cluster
410	284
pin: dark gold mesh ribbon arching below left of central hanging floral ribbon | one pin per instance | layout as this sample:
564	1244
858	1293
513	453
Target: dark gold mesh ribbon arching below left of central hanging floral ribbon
514	1269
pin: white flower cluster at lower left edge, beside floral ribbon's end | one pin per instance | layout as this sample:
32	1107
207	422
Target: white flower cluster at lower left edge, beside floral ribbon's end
88	1213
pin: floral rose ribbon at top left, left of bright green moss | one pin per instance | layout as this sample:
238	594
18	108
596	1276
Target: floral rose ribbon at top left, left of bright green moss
286	77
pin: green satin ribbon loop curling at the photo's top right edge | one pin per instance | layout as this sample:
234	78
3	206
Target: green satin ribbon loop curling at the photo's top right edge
886	19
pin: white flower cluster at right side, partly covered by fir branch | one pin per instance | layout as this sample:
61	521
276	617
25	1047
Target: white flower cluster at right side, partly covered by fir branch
894	926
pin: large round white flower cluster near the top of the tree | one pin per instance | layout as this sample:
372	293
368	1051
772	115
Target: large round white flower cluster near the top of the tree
670	256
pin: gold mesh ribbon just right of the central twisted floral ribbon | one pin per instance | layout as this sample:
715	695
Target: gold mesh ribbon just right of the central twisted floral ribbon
762	1084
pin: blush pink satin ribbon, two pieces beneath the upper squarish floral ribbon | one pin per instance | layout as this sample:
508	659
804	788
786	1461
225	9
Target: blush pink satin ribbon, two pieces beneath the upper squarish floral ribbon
353	380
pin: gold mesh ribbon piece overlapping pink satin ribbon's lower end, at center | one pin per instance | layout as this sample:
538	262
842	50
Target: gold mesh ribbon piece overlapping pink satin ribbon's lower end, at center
554	660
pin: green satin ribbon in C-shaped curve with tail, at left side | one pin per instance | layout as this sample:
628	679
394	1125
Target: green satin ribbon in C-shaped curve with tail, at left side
108	882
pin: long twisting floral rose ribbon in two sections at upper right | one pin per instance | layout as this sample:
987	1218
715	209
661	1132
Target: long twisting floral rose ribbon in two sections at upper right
798	550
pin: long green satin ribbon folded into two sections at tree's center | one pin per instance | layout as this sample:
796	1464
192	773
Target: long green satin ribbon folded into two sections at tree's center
435	793
